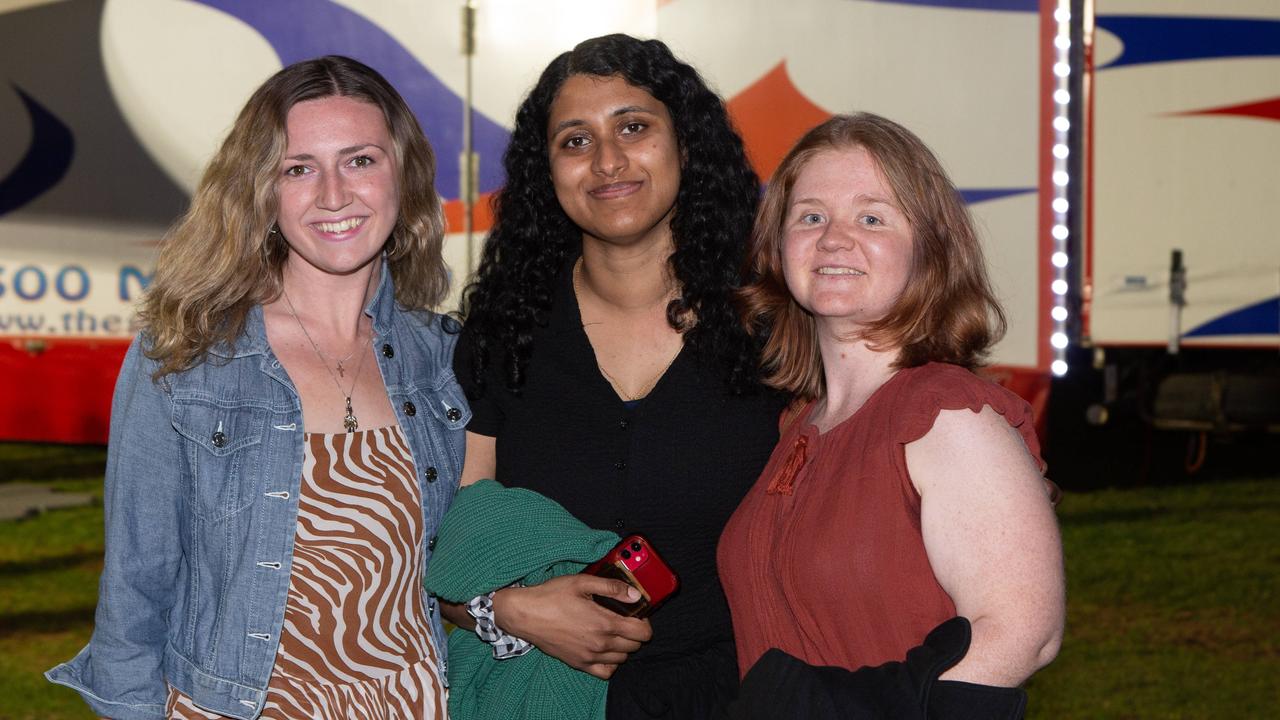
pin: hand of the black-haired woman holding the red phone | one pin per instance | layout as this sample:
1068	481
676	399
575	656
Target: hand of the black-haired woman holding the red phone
564	622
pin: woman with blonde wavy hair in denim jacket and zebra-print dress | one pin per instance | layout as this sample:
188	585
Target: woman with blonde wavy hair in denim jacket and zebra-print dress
286	431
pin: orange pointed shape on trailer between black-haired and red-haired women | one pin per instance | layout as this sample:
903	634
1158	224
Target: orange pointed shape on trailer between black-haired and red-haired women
772	115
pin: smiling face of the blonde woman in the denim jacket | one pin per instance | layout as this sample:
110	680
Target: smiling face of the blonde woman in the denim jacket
339	188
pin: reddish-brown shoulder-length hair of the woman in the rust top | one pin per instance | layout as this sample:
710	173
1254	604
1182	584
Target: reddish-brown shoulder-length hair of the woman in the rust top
948	312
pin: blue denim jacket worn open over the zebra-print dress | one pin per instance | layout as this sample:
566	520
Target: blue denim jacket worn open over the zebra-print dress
202	503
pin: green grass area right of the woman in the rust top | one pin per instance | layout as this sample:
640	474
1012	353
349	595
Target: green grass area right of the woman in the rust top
1173	605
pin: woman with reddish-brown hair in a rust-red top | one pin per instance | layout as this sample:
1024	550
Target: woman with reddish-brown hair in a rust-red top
902	535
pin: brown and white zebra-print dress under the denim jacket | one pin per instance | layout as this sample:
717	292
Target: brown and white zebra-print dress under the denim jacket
356	641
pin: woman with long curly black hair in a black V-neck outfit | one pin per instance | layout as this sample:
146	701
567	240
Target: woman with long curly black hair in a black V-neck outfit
607	367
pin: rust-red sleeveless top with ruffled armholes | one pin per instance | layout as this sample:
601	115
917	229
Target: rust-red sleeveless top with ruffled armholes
825	558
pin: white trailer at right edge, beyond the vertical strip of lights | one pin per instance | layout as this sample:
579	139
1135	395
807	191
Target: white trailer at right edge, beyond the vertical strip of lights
1174	294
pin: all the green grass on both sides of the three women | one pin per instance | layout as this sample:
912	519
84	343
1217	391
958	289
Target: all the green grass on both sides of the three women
1173	607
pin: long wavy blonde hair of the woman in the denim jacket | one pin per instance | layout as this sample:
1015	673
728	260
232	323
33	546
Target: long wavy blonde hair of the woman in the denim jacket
221	259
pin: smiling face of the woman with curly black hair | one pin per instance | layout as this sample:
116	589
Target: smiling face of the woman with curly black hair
615	161
